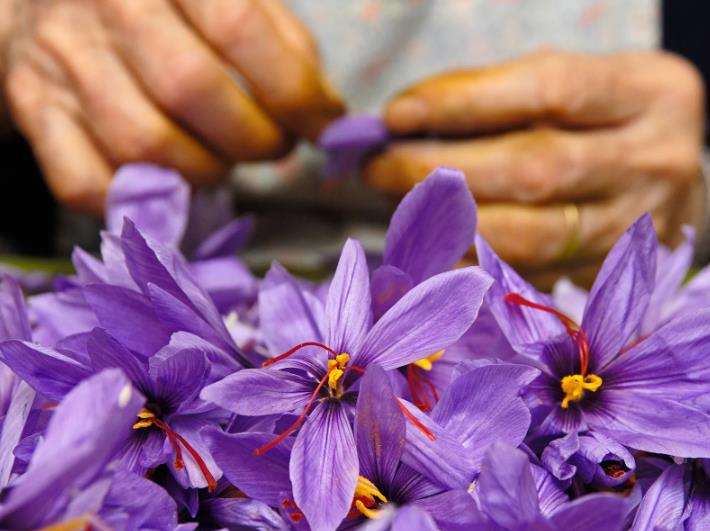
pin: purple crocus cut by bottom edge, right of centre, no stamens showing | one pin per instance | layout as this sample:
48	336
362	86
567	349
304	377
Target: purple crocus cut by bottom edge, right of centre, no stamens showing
510	495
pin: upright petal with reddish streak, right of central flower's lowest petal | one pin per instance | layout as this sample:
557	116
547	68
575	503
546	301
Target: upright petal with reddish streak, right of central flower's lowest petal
379	428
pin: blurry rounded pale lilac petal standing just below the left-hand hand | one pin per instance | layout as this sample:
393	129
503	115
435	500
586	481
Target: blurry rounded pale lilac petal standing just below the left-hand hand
156	199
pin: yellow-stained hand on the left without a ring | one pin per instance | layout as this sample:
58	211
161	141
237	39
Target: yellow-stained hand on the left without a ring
190	84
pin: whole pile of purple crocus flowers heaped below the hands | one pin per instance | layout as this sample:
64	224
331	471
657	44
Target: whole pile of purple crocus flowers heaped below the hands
164	386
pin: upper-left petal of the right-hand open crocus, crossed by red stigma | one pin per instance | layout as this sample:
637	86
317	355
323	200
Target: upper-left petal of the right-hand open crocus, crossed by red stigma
519	324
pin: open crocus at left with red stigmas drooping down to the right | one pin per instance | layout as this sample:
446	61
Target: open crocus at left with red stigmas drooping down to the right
167	429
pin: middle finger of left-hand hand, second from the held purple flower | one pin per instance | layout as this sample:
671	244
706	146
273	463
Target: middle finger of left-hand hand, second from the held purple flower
189	80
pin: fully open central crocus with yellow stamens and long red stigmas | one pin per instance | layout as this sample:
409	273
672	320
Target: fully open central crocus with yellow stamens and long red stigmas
323	464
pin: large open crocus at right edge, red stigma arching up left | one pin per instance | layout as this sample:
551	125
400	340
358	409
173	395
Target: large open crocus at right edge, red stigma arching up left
646	395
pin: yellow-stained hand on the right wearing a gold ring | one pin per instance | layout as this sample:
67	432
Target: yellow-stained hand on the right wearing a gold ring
616	135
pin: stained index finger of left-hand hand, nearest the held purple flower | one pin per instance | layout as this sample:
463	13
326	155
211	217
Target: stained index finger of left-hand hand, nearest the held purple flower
289	85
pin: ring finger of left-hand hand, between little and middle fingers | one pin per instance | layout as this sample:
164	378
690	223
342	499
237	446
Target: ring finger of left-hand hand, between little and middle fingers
124	122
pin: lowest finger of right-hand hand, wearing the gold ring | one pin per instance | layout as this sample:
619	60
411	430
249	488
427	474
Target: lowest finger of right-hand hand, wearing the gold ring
536	236
